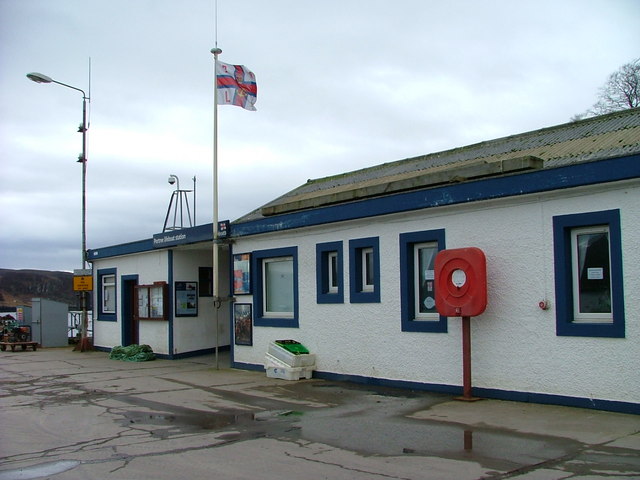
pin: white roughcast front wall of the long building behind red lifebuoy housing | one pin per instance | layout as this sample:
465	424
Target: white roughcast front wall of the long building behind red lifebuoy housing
514	342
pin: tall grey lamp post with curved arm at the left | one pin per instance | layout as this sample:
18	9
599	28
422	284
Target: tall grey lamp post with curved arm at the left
40	78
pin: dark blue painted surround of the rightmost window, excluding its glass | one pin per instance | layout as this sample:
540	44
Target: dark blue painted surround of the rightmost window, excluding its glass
562	226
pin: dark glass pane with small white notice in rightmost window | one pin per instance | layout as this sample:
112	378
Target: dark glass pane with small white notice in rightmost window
594	284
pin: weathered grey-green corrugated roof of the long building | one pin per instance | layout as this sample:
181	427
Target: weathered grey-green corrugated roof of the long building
607	136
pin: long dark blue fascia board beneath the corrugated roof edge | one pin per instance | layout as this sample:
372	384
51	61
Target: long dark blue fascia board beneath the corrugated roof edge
591	173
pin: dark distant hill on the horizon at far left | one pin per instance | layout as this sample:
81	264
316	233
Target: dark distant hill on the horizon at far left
18	287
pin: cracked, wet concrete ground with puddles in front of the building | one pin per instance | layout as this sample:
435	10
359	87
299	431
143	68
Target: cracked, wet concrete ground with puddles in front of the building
71	415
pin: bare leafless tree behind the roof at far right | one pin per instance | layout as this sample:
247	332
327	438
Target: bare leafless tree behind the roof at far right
621	91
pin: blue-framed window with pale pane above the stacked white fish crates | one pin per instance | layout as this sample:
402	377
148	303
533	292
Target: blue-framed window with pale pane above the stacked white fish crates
275	276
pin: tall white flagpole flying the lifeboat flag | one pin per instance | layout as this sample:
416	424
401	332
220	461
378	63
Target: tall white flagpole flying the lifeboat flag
216	271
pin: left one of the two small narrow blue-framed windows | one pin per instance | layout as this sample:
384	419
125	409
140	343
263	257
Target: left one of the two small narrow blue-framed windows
329	273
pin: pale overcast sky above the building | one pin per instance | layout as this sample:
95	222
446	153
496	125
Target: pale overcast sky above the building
342	85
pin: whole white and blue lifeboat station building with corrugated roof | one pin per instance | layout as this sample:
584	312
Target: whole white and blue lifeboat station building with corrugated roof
345	265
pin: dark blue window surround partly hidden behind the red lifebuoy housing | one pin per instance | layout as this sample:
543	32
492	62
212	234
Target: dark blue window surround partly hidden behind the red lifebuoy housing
407	275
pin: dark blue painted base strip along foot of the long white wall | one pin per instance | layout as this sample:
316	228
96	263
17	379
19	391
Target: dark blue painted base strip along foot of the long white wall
493	393
